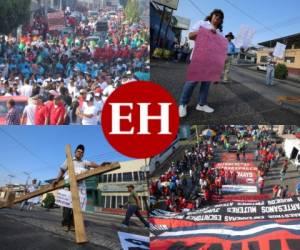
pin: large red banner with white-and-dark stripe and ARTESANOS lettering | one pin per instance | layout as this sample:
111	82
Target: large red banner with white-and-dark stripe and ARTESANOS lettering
267	224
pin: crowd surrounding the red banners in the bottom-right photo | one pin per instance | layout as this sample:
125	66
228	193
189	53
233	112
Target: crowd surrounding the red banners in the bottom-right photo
193	181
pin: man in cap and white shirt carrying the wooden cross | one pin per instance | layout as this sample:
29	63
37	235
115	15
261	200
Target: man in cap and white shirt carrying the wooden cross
79	167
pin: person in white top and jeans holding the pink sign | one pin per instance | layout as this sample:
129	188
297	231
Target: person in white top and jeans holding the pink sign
214	22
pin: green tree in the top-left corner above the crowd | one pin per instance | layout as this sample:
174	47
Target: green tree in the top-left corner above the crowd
12	14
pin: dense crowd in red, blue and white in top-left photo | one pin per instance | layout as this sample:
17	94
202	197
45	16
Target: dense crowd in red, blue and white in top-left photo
68	76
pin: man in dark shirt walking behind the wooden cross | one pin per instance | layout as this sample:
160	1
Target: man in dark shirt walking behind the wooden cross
134	206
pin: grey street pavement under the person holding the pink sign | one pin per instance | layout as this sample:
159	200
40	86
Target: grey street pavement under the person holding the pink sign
245	100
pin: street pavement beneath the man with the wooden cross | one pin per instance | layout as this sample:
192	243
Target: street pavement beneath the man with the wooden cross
41	229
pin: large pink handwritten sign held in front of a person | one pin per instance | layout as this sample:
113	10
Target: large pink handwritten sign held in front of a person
209	57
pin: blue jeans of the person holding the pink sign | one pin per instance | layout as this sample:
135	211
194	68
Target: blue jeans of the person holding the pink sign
188	91
